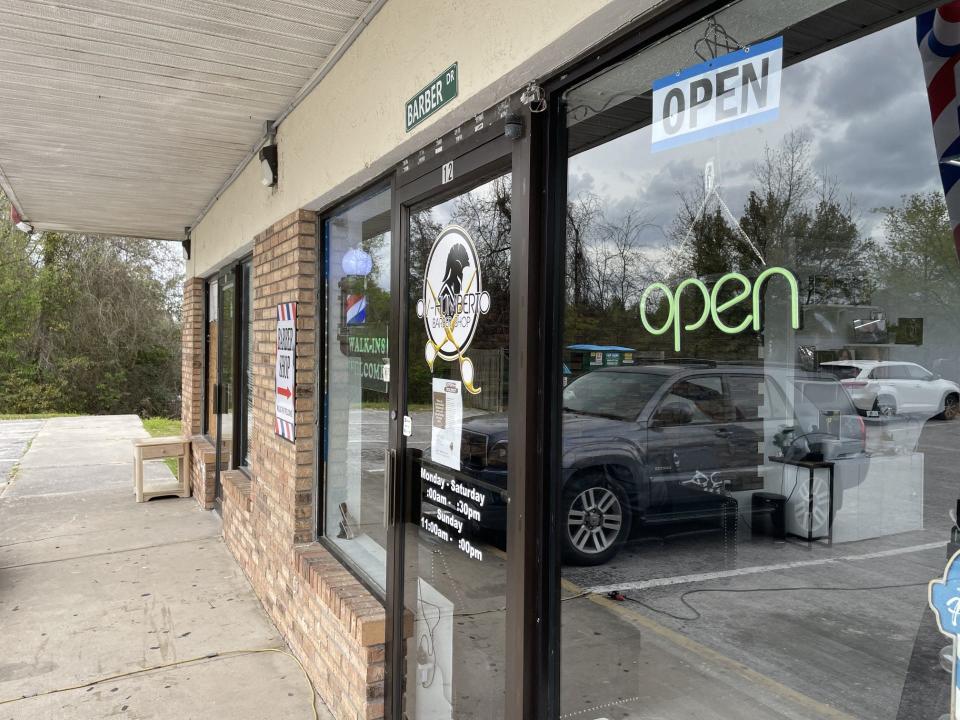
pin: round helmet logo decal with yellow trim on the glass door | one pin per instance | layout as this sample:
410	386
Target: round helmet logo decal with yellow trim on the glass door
453	301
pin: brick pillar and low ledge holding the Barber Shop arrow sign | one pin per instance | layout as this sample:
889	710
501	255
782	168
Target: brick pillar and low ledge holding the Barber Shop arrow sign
328	618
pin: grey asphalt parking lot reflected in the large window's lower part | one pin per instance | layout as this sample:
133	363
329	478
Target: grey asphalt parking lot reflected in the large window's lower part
839	631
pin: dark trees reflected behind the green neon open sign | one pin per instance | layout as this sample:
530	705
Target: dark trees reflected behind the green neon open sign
792	217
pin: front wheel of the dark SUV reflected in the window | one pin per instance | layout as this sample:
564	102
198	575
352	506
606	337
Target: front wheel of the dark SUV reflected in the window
597	519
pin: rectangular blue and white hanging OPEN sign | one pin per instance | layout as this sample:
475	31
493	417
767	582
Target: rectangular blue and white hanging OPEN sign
728	93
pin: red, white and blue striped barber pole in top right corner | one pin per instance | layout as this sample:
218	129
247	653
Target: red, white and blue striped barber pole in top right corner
938	35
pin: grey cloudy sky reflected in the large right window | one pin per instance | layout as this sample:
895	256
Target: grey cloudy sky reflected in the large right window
864	106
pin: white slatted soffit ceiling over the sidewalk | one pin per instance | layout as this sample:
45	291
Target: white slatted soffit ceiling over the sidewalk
128	116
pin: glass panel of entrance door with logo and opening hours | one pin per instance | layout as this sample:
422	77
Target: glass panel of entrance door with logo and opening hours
453	452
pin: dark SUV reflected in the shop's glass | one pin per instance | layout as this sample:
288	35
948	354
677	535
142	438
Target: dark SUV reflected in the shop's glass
671	443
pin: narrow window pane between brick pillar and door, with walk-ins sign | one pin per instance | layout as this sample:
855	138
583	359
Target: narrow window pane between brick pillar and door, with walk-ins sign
357	267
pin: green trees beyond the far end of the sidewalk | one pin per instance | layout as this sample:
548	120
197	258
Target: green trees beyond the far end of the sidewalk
90	324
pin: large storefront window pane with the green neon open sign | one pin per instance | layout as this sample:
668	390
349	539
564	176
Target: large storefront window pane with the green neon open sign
762	324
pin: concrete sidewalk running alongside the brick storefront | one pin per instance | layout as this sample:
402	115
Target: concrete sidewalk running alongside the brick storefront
93	585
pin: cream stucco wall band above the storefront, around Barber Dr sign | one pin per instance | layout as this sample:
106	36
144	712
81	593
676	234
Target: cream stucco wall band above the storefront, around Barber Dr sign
351	128
